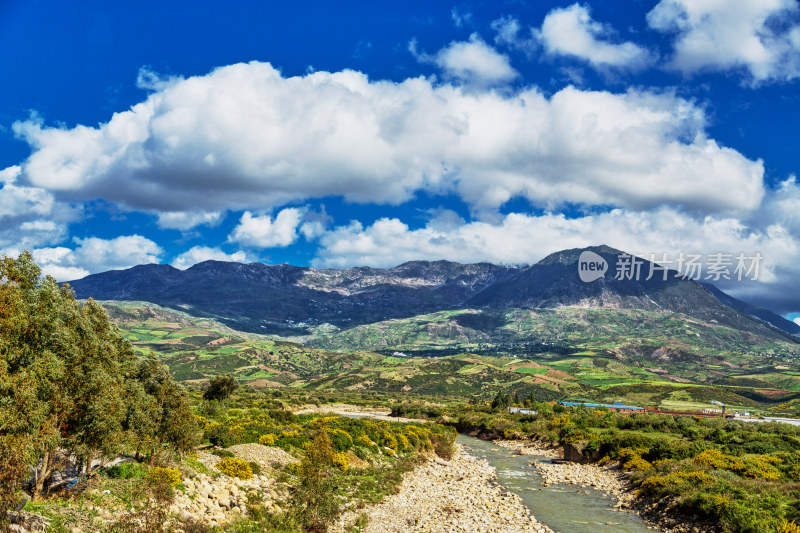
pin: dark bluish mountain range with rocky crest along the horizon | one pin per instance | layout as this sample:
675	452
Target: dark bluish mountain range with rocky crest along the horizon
290	300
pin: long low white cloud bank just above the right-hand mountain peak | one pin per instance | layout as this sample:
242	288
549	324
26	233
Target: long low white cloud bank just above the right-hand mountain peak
523	239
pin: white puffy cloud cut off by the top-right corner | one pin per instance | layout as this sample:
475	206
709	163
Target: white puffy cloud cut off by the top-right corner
755	35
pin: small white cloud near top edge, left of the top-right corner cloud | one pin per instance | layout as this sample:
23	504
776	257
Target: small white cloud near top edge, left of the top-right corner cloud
572	31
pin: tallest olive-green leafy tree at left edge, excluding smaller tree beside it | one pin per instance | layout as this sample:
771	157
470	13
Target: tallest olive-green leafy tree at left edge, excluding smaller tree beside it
63	369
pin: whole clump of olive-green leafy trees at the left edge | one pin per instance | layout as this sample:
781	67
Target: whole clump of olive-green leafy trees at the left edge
70	382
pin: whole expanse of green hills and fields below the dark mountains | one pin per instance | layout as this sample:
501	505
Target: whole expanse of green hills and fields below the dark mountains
645	358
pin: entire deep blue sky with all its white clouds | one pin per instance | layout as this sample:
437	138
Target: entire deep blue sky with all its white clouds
363	133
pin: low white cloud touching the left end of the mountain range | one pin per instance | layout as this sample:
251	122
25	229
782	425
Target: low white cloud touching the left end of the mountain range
93	255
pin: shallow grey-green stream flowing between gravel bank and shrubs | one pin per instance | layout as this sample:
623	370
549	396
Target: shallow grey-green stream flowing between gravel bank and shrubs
563	508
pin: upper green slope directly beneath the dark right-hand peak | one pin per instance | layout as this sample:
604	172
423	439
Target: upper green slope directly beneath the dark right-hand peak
542	330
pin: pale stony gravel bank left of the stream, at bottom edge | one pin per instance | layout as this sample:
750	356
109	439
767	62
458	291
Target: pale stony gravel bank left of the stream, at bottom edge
444	496
